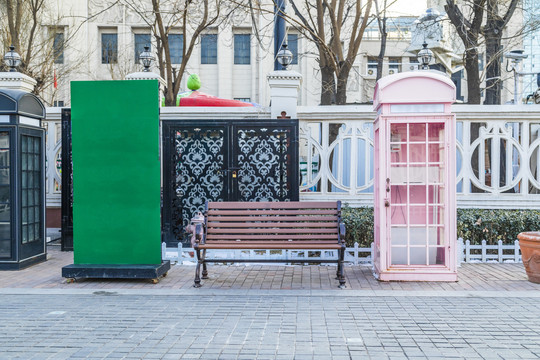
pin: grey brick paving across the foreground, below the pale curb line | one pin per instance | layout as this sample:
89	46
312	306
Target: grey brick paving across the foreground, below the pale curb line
97	326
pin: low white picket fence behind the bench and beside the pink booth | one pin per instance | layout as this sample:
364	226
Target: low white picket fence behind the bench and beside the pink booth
354	255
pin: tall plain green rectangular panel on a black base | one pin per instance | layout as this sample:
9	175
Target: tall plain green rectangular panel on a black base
116	172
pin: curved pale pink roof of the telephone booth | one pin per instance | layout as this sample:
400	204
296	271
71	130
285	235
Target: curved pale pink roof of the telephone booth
414	87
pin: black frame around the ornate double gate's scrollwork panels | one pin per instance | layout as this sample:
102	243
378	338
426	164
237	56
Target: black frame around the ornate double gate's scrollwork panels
230	128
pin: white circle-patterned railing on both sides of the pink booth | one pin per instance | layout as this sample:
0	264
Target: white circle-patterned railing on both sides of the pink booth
498	160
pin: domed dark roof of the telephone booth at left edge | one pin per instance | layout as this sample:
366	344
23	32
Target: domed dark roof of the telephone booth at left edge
21	103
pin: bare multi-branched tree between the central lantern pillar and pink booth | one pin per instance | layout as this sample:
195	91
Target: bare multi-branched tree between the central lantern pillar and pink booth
336	28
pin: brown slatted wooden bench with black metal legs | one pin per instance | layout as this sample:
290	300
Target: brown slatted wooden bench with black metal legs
271	226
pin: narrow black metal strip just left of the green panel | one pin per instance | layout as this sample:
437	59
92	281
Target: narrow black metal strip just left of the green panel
67	183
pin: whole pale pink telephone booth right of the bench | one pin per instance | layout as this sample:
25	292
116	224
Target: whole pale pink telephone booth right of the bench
415	175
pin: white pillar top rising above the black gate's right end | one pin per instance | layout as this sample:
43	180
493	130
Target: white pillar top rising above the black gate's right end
284	86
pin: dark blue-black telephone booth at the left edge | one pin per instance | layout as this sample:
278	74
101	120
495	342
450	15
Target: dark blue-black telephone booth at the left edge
22	180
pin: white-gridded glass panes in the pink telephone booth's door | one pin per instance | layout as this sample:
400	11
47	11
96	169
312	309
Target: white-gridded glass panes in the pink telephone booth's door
417	193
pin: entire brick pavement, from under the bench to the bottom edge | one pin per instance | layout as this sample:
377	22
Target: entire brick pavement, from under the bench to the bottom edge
268	312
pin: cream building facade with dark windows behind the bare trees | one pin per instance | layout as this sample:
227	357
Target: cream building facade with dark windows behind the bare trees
101	40
